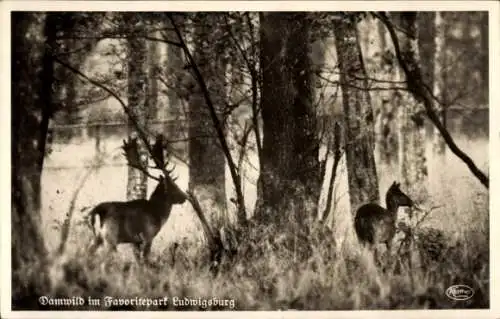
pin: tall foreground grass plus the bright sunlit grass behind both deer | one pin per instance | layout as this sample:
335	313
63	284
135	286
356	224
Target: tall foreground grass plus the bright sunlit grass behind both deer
278	267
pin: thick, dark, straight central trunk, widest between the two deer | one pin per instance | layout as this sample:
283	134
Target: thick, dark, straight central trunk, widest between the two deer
289	181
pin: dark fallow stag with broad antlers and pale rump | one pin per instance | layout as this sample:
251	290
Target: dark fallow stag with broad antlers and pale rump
137	222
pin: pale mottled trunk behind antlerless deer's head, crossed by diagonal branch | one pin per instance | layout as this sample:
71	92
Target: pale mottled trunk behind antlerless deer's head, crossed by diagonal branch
413	167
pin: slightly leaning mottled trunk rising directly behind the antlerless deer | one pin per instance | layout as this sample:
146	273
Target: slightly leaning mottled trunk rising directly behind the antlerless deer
358	115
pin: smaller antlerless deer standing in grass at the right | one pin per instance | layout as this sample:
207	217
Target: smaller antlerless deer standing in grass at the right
374	224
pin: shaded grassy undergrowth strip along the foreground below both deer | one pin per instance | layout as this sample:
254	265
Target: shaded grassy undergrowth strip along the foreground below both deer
273	270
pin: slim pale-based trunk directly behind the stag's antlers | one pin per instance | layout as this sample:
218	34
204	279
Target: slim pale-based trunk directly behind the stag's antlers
137	103
